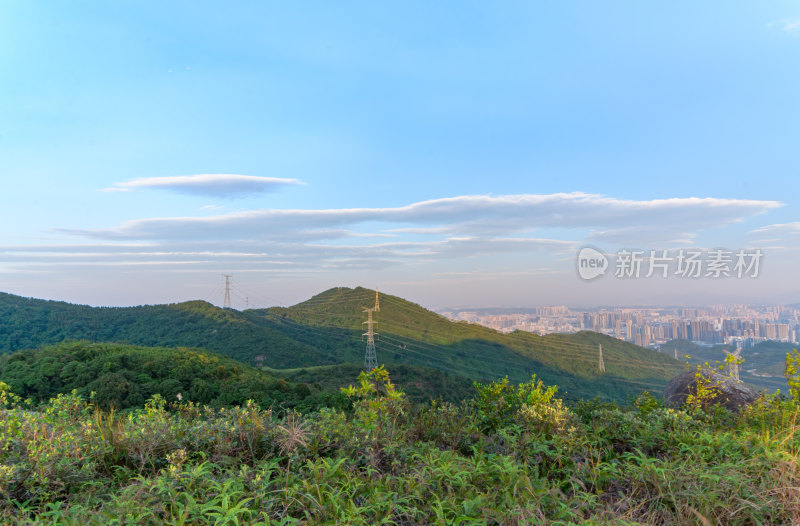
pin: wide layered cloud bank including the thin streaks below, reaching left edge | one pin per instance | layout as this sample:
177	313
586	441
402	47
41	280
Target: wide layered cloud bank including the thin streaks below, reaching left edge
457	230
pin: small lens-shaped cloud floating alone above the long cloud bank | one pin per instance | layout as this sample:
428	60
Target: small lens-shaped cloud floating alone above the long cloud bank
214	185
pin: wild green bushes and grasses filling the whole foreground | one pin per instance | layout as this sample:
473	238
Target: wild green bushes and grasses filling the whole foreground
514	454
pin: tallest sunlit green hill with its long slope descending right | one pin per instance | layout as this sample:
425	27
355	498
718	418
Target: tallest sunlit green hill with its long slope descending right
408	333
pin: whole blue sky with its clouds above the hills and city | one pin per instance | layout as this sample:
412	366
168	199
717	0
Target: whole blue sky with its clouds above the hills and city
456	153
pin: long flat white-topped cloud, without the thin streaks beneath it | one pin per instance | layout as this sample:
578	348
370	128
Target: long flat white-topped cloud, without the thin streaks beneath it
486	216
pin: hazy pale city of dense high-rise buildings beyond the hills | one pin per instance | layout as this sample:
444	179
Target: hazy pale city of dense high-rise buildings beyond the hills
650	326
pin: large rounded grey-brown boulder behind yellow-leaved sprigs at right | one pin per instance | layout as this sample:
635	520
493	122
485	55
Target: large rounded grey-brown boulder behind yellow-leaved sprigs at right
728	392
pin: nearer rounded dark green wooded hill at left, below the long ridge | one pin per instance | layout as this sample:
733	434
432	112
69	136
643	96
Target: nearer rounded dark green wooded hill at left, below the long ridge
125	376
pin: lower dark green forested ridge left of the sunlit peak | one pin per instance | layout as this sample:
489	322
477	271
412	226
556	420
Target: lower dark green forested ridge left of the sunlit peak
28	323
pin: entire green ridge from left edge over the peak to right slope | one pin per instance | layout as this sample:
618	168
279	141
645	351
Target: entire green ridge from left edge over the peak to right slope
327	330
